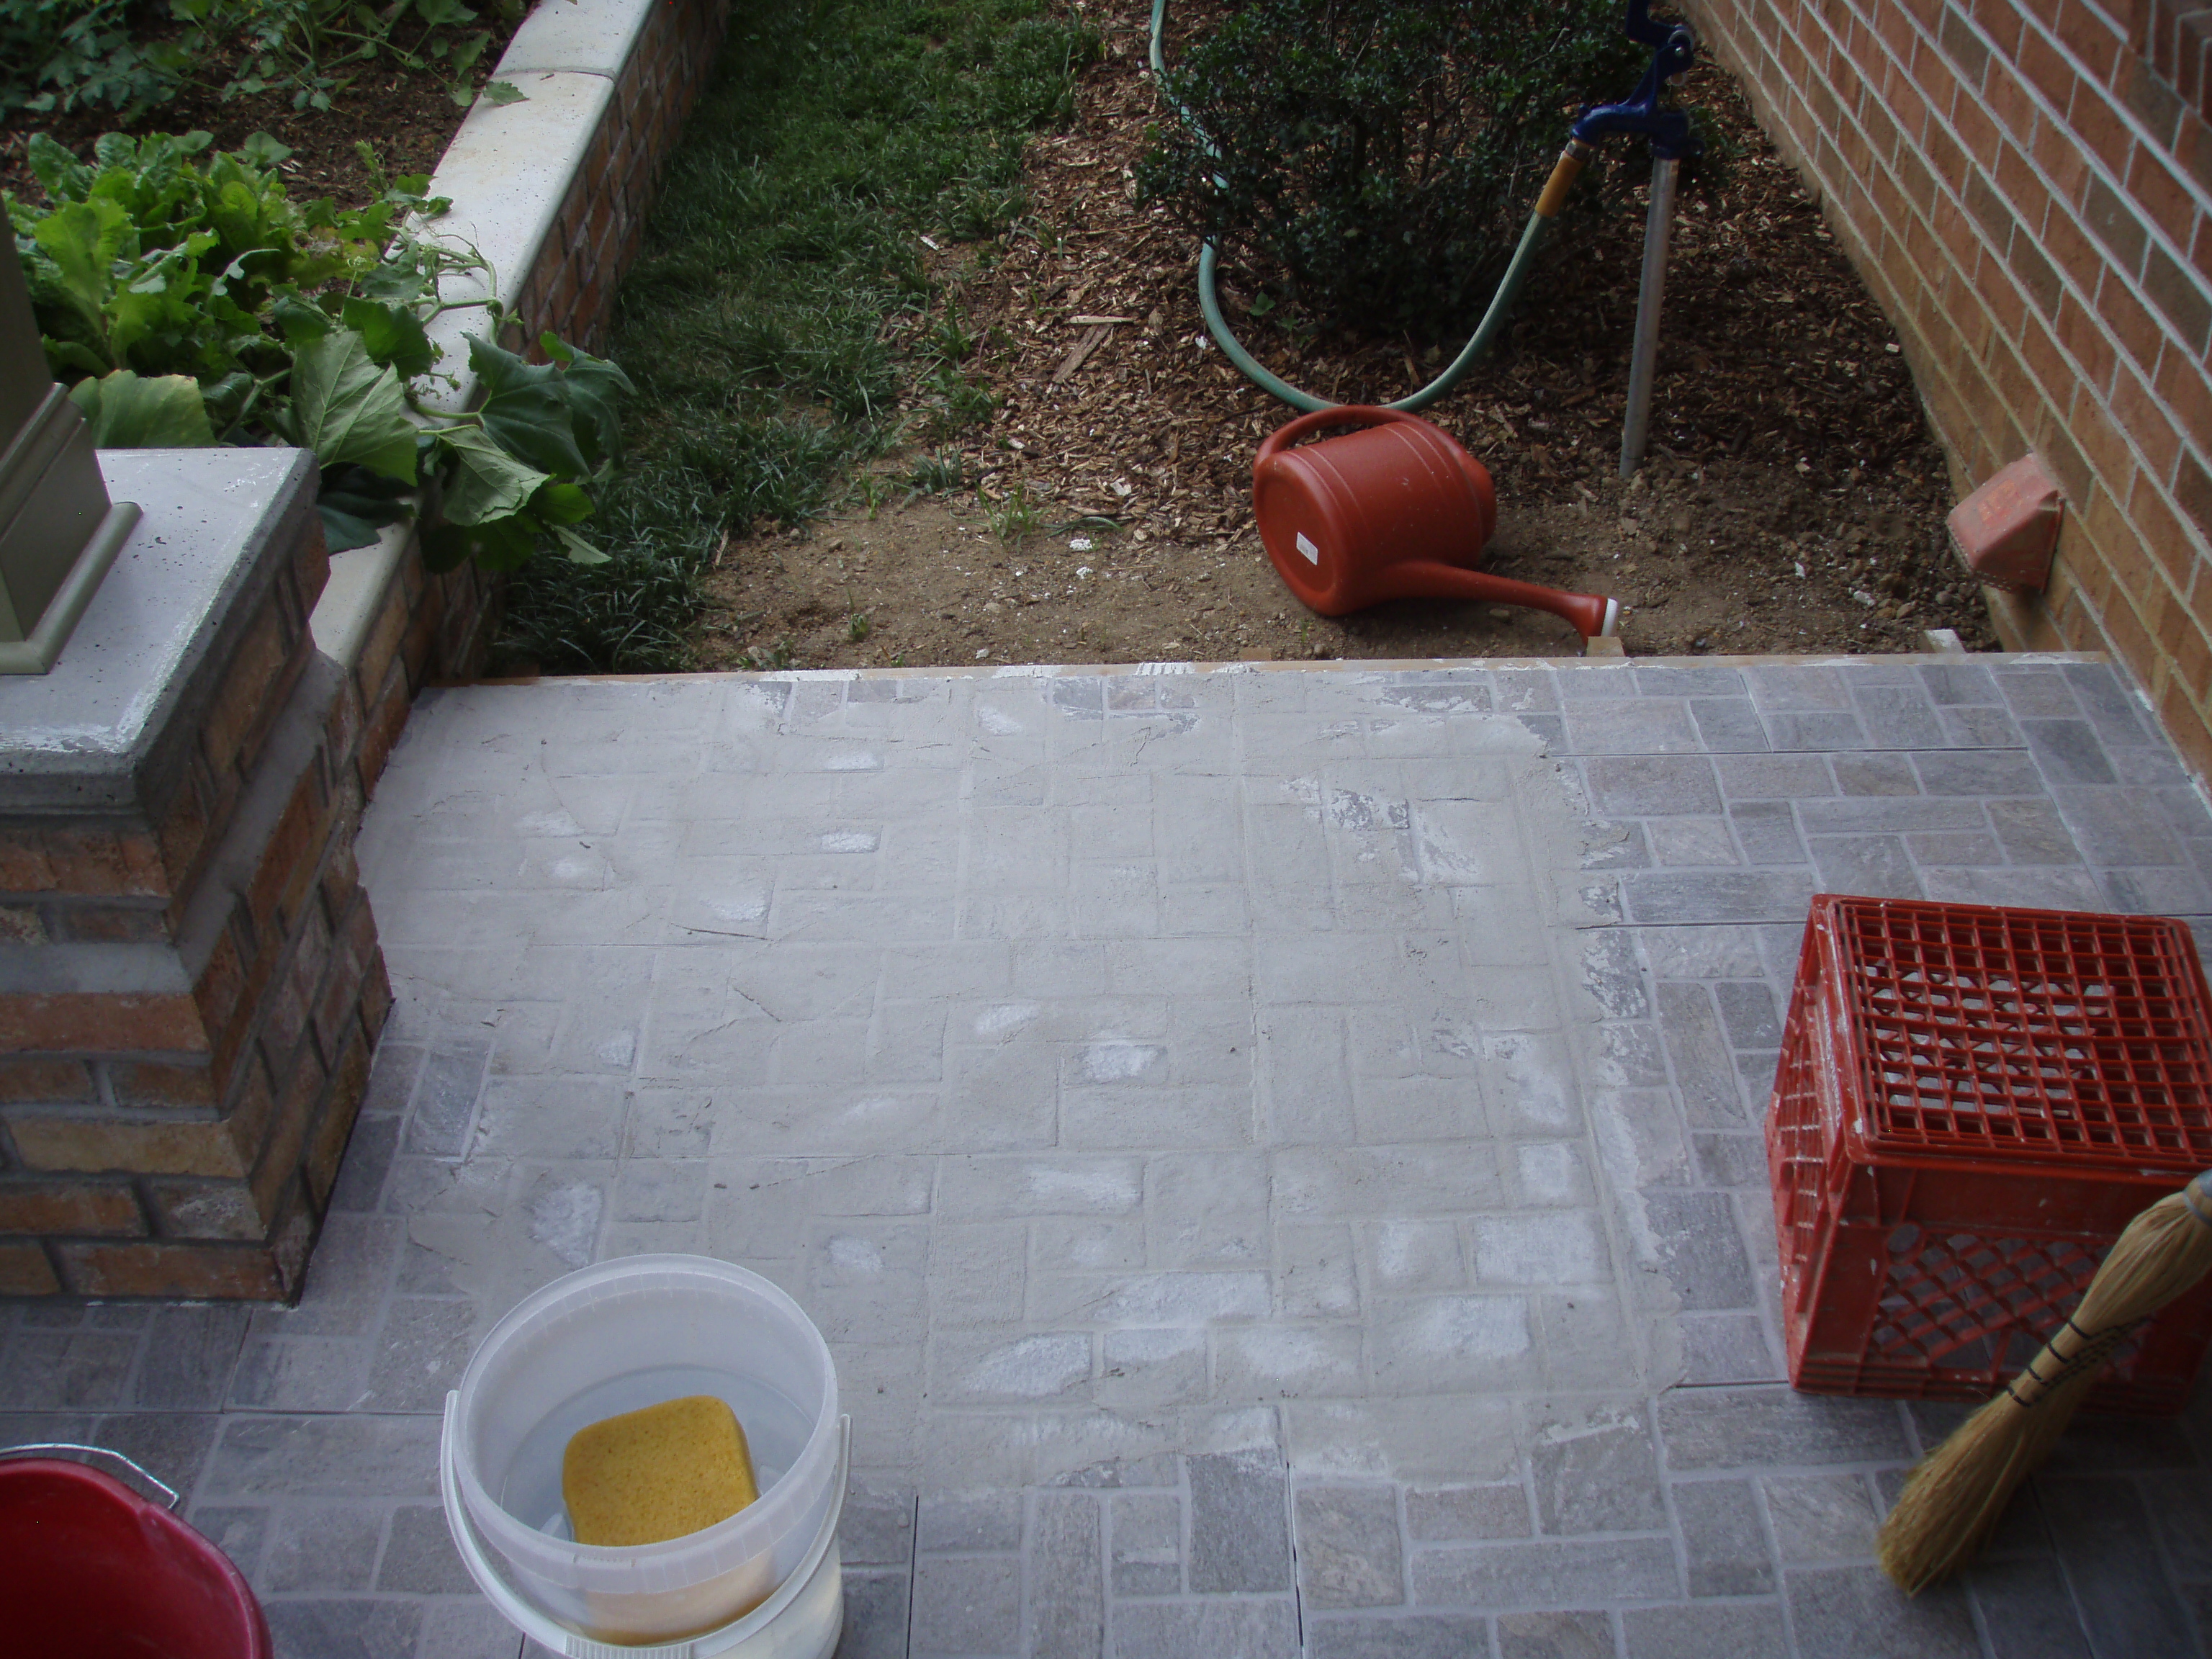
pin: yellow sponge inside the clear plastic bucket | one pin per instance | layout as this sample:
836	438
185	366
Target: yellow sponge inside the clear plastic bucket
658	1474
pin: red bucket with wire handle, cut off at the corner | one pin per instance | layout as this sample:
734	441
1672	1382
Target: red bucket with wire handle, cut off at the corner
94	1572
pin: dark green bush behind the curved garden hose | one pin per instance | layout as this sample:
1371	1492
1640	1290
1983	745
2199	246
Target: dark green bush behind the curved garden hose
1379	158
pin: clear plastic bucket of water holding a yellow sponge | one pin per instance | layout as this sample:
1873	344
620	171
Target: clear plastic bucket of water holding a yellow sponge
620	1337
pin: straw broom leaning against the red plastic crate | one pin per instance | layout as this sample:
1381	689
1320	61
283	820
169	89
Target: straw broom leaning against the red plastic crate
1957	1496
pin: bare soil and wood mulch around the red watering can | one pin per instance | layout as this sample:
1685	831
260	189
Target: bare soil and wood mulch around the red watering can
1793	499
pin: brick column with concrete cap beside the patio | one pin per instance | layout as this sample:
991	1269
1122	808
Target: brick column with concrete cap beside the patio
189	970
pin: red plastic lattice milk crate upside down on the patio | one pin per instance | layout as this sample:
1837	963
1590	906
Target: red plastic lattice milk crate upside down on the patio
1972	1103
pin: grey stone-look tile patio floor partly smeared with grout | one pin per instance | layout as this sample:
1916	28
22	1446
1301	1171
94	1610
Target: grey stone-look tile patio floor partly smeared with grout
1275	1151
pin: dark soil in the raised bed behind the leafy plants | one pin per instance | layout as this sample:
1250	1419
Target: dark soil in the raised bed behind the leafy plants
408	118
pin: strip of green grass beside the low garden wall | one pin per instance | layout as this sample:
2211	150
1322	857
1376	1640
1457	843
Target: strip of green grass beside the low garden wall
780	322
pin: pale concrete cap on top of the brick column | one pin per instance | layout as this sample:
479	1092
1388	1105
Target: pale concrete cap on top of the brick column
92	733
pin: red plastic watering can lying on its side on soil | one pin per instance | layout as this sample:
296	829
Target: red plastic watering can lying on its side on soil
1390	512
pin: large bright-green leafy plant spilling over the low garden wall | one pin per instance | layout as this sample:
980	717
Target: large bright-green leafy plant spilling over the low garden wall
187	300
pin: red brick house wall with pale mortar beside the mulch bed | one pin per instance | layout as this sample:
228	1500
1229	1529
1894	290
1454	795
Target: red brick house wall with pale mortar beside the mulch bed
2023	187
